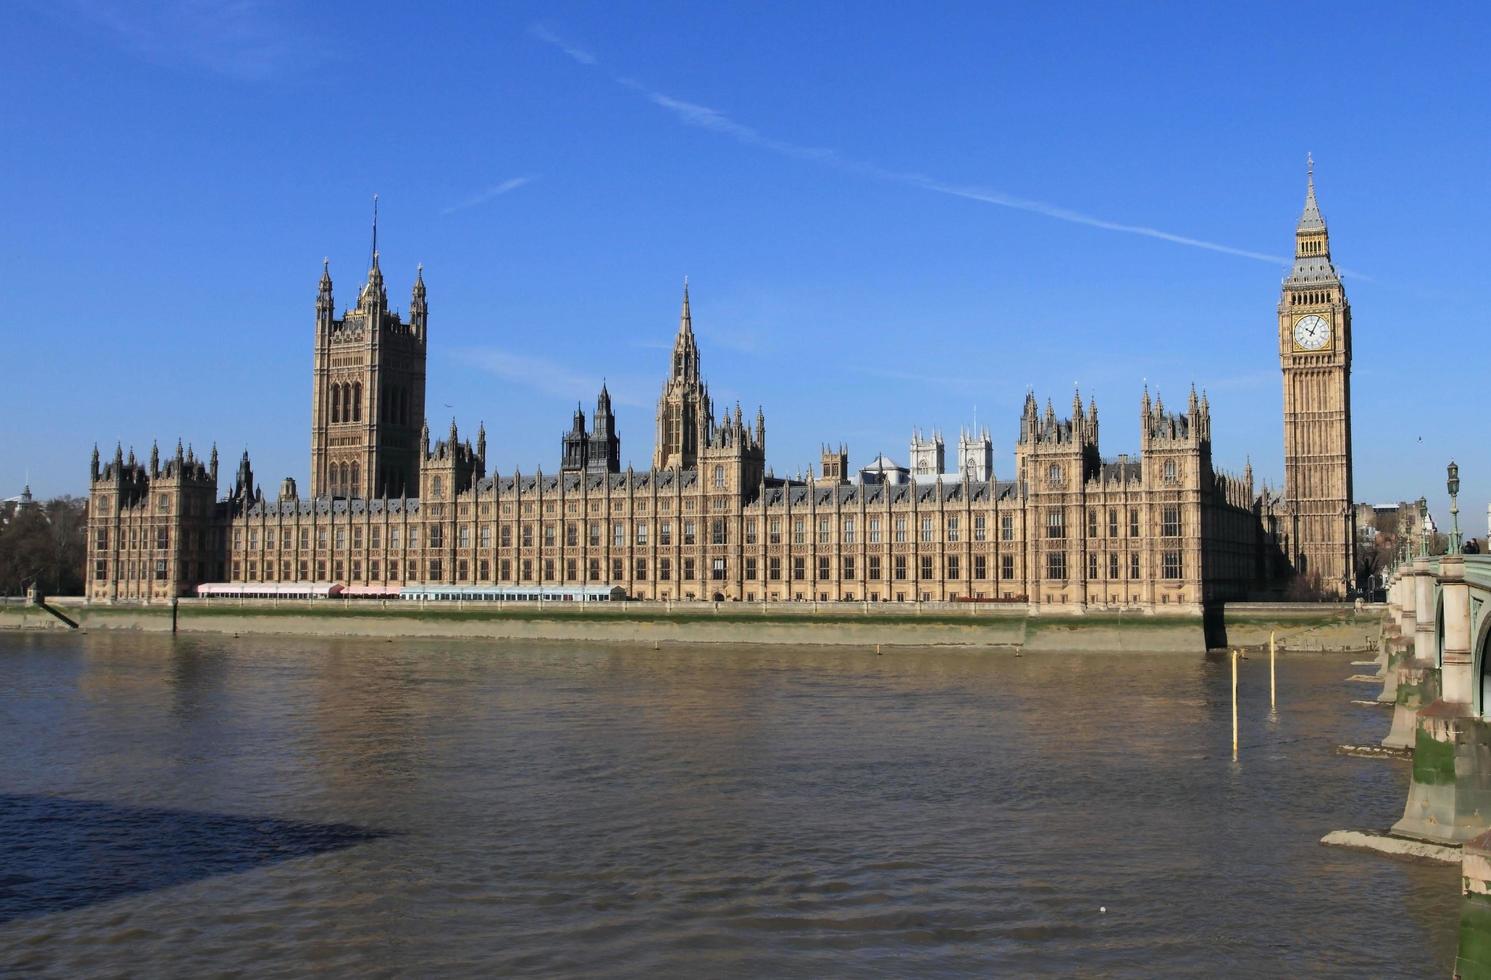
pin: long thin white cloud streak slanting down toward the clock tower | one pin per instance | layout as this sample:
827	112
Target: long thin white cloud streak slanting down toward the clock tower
716	122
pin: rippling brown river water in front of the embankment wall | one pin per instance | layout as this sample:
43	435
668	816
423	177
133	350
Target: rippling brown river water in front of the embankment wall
192	806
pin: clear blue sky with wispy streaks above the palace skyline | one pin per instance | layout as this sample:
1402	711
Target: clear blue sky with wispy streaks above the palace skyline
891	217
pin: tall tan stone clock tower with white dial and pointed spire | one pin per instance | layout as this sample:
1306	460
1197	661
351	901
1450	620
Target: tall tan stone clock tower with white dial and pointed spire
1316	359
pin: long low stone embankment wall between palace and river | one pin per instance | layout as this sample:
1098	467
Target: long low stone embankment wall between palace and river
795	624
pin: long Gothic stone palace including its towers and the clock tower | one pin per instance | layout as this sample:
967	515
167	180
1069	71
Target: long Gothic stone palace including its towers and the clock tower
1162	532
